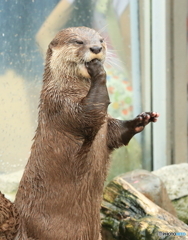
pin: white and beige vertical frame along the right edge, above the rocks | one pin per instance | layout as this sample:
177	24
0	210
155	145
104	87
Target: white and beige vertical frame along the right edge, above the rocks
169	81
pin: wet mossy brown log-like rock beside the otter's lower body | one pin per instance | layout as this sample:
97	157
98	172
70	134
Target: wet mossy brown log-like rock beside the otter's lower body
128	214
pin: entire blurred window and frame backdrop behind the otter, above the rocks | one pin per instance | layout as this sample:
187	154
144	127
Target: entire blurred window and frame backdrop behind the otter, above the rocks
147	69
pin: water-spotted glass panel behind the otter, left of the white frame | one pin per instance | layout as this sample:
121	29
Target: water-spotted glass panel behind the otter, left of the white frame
27	27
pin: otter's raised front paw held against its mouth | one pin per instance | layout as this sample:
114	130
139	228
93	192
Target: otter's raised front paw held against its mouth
95	69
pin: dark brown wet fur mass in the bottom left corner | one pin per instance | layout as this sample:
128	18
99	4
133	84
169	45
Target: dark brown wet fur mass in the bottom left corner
9	219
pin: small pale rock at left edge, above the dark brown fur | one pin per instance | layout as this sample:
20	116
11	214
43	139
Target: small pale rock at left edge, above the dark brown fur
9	184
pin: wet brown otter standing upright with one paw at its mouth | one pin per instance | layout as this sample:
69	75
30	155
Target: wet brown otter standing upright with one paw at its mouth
60	193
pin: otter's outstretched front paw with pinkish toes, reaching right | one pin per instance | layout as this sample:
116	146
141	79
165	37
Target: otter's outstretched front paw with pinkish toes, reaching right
137	124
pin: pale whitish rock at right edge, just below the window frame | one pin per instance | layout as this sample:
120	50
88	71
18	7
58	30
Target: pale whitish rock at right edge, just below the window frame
175	179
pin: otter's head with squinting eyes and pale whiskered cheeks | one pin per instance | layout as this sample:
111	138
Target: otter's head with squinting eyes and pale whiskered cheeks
72	48
